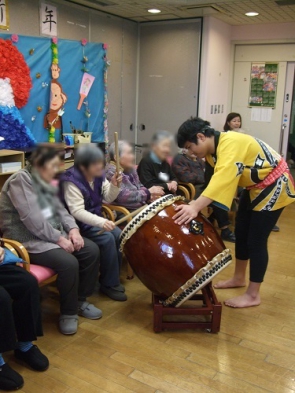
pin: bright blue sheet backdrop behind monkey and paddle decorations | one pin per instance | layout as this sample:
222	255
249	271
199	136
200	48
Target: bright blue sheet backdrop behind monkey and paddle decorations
38	55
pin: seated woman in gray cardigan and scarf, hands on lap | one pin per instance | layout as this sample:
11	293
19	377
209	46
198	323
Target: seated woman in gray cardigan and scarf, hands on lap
31	213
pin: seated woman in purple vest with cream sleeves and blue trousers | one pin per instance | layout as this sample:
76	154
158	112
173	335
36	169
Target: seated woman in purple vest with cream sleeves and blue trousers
84	187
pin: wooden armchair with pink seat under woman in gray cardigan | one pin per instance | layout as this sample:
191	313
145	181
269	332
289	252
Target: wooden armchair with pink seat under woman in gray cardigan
44	275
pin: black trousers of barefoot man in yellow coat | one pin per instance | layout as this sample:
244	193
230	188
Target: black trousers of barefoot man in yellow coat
252	231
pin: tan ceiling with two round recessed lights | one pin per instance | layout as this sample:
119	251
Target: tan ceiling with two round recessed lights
230	11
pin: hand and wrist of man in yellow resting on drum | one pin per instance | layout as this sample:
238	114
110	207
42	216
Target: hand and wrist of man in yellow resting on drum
186	213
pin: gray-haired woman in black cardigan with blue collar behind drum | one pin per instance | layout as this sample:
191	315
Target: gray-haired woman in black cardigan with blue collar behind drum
154	169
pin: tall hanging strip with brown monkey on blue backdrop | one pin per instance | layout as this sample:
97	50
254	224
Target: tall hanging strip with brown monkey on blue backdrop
58	98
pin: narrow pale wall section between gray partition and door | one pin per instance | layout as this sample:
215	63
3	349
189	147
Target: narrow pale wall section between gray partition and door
215	84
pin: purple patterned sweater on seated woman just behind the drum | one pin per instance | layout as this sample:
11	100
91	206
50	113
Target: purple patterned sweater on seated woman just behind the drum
132	193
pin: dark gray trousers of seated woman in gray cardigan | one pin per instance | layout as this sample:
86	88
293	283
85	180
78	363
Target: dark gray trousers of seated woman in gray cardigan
77	273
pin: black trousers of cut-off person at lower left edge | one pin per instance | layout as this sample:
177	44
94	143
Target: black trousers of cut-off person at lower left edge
20	315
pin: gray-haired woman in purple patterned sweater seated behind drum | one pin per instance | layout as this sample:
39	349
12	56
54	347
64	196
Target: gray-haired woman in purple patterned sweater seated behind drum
132	193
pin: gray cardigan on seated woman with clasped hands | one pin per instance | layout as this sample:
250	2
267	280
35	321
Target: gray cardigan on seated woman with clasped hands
23	219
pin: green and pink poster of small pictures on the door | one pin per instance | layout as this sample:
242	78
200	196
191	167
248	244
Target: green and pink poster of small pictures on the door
263	88
